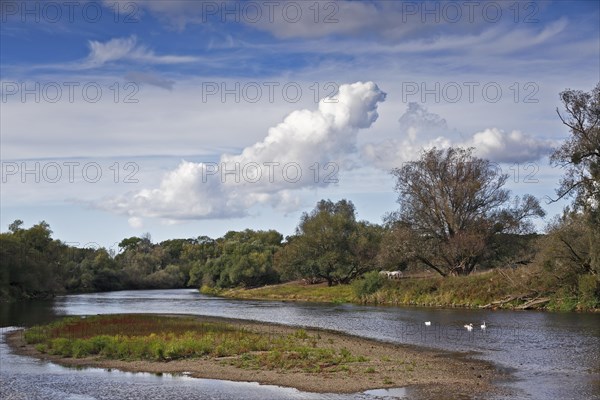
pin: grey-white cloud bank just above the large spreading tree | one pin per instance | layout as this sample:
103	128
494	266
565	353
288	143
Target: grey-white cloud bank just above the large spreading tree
421	130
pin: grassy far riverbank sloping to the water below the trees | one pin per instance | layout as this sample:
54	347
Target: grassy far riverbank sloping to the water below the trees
512	289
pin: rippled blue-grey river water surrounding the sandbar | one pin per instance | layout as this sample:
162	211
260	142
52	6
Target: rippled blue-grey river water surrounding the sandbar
551	355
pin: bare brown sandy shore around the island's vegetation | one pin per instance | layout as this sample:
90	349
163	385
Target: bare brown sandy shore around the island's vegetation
427	373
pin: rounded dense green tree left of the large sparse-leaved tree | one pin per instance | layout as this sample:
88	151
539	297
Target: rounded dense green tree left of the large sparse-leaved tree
331	245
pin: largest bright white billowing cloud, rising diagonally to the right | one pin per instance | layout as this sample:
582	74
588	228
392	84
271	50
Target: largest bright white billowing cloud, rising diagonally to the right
292	156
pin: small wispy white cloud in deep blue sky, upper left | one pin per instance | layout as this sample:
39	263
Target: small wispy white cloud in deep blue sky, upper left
127	49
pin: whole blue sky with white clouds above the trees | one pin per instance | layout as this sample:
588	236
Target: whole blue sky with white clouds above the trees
188	118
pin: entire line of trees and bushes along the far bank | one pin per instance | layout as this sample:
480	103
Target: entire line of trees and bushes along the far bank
455	216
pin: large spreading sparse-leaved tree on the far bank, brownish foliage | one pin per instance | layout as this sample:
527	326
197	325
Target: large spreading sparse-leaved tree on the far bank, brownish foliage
452	206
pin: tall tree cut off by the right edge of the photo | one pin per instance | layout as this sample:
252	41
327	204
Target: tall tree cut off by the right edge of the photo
580	157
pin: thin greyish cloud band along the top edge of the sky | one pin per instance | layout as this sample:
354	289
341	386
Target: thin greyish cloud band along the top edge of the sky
388	20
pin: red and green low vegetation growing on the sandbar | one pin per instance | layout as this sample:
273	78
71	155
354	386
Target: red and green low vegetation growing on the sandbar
159	338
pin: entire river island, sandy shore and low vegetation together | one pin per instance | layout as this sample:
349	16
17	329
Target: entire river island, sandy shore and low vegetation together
217	348
